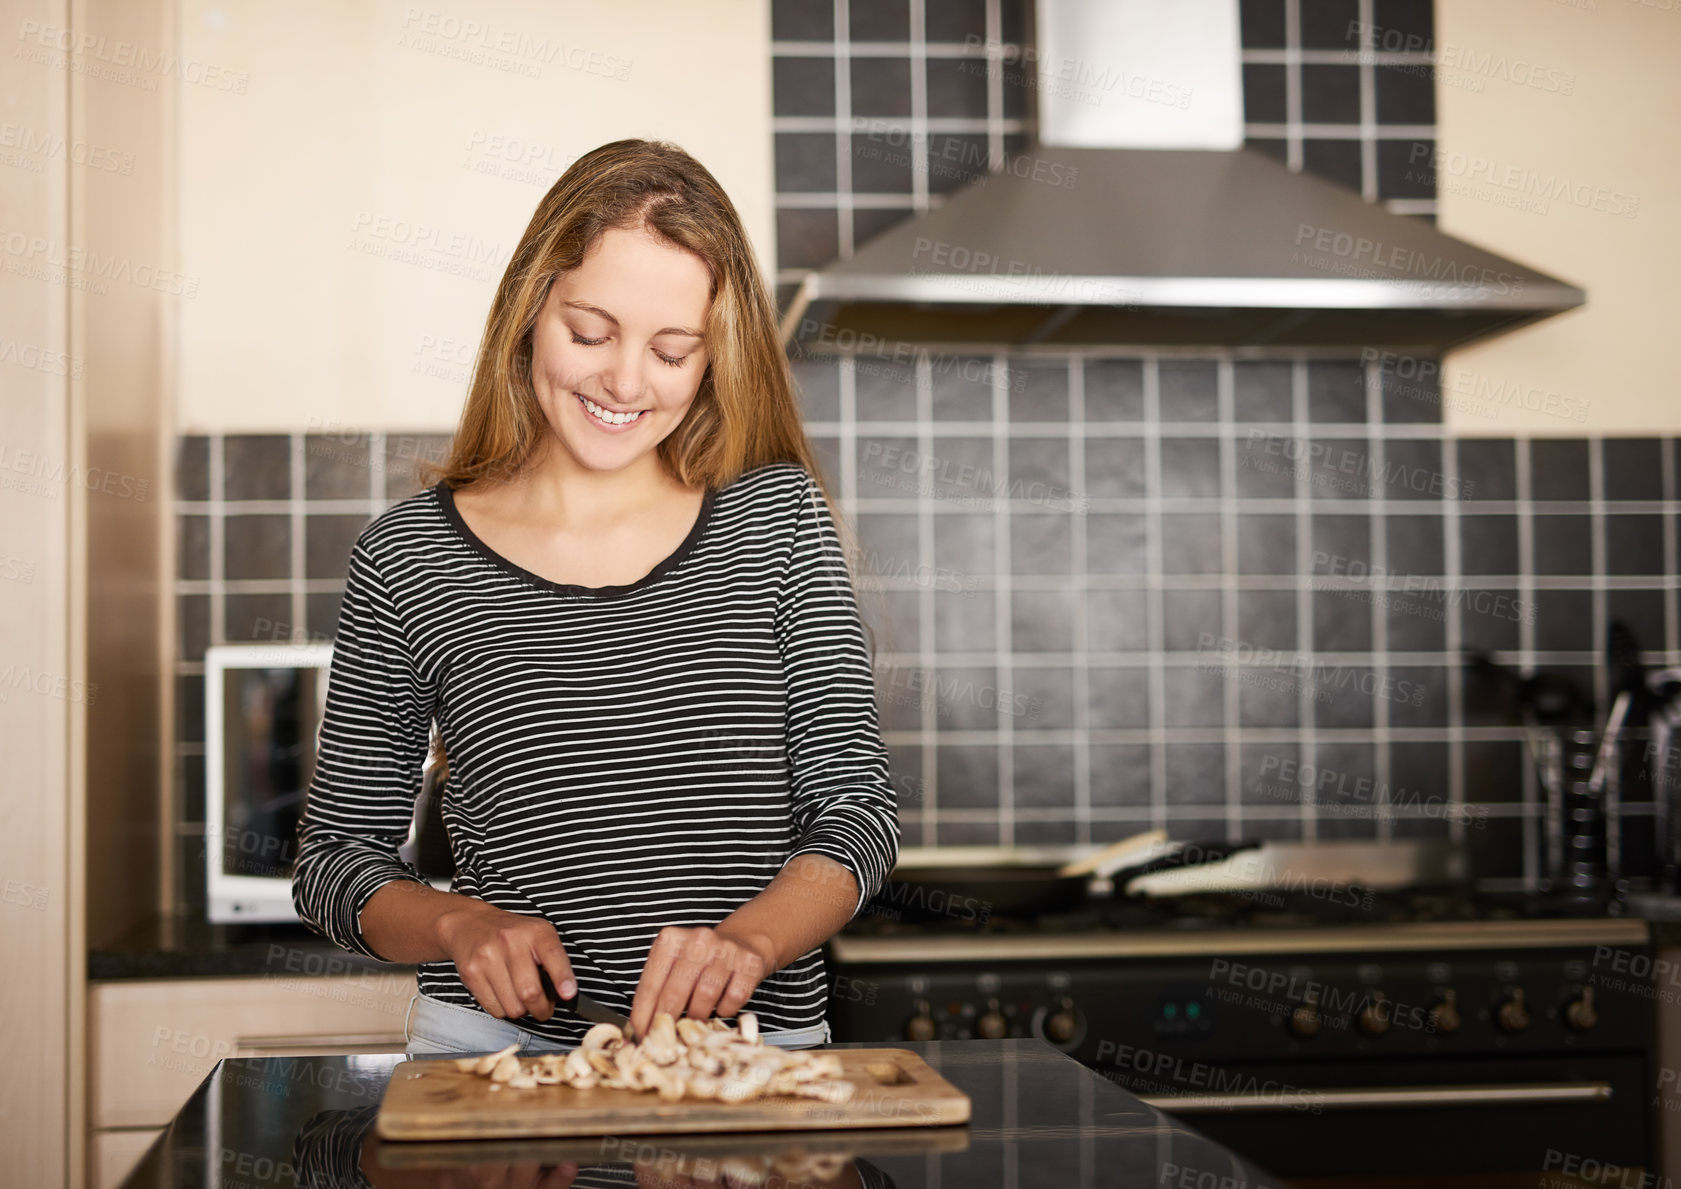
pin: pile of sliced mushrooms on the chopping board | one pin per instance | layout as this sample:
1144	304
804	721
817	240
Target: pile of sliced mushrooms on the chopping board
678	1059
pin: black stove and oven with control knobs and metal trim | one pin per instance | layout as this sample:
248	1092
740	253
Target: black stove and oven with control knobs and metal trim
1502	1027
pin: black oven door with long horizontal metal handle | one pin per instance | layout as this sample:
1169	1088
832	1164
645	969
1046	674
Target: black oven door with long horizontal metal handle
1428	1121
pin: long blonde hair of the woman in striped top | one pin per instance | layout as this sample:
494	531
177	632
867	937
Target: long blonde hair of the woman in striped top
746	413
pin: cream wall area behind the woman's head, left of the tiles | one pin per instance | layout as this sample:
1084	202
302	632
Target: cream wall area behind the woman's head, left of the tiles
347	198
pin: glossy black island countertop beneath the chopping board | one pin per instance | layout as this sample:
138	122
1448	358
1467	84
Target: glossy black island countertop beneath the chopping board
1038	1119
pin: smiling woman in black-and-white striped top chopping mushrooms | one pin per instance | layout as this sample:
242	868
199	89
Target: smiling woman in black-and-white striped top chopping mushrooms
626	605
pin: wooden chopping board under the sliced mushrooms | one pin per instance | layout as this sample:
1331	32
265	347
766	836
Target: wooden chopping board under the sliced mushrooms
435	1101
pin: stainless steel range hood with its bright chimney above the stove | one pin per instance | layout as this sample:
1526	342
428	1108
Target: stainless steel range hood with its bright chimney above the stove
1142	223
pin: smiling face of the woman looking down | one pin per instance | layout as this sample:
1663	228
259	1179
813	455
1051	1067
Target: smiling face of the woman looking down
616	352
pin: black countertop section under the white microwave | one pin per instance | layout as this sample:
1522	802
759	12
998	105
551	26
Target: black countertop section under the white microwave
187	948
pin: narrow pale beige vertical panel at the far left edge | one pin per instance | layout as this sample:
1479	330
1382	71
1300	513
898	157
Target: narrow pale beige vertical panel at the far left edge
40	906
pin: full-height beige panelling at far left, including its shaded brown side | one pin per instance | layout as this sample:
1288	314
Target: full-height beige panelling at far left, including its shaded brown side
85	443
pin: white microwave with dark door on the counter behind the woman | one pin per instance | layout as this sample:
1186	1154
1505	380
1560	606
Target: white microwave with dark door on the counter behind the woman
263	727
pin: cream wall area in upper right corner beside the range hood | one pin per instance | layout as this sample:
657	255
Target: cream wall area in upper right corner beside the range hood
1601	115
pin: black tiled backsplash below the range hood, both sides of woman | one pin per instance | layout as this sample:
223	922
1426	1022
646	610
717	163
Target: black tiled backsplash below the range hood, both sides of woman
1144	638
